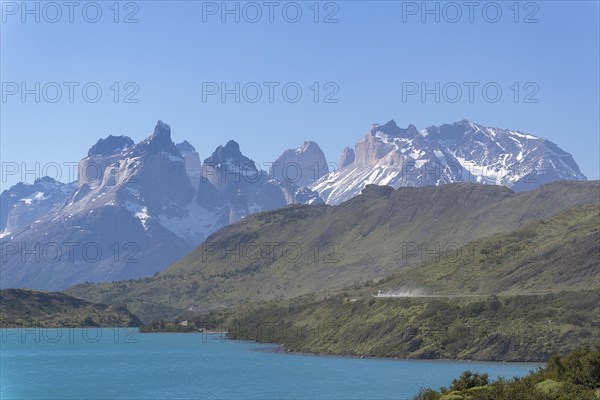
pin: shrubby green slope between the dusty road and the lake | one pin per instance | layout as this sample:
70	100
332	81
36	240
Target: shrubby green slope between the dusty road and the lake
490	328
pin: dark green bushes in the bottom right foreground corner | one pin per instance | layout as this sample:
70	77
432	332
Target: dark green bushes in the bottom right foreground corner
575	376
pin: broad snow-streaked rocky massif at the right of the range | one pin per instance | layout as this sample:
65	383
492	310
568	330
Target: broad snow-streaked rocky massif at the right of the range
459	152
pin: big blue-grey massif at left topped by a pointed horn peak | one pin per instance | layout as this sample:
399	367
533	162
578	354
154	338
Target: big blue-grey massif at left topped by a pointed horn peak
113	224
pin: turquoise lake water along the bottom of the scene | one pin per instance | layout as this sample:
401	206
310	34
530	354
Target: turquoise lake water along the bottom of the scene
125	364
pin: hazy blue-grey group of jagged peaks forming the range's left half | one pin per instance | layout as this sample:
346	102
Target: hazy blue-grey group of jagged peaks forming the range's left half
135	209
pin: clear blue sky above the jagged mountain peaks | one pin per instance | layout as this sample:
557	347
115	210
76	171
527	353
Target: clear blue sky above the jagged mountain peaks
372	49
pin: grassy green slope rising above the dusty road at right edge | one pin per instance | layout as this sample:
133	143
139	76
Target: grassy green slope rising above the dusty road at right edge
551	254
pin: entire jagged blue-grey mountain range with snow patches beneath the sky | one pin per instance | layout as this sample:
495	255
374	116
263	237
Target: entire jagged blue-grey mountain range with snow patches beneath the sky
137	208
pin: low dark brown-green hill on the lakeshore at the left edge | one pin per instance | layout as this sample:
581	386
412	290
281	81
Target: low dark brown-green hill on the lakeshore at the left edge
28	308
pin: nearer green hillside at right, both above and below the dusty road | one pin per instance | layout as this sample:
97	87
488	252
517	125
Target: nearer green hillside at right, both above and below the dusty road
509	327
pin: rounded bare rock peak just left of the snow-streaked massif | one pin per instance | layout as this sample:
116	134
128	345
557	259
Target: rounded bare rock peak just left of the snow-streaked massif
301	166
